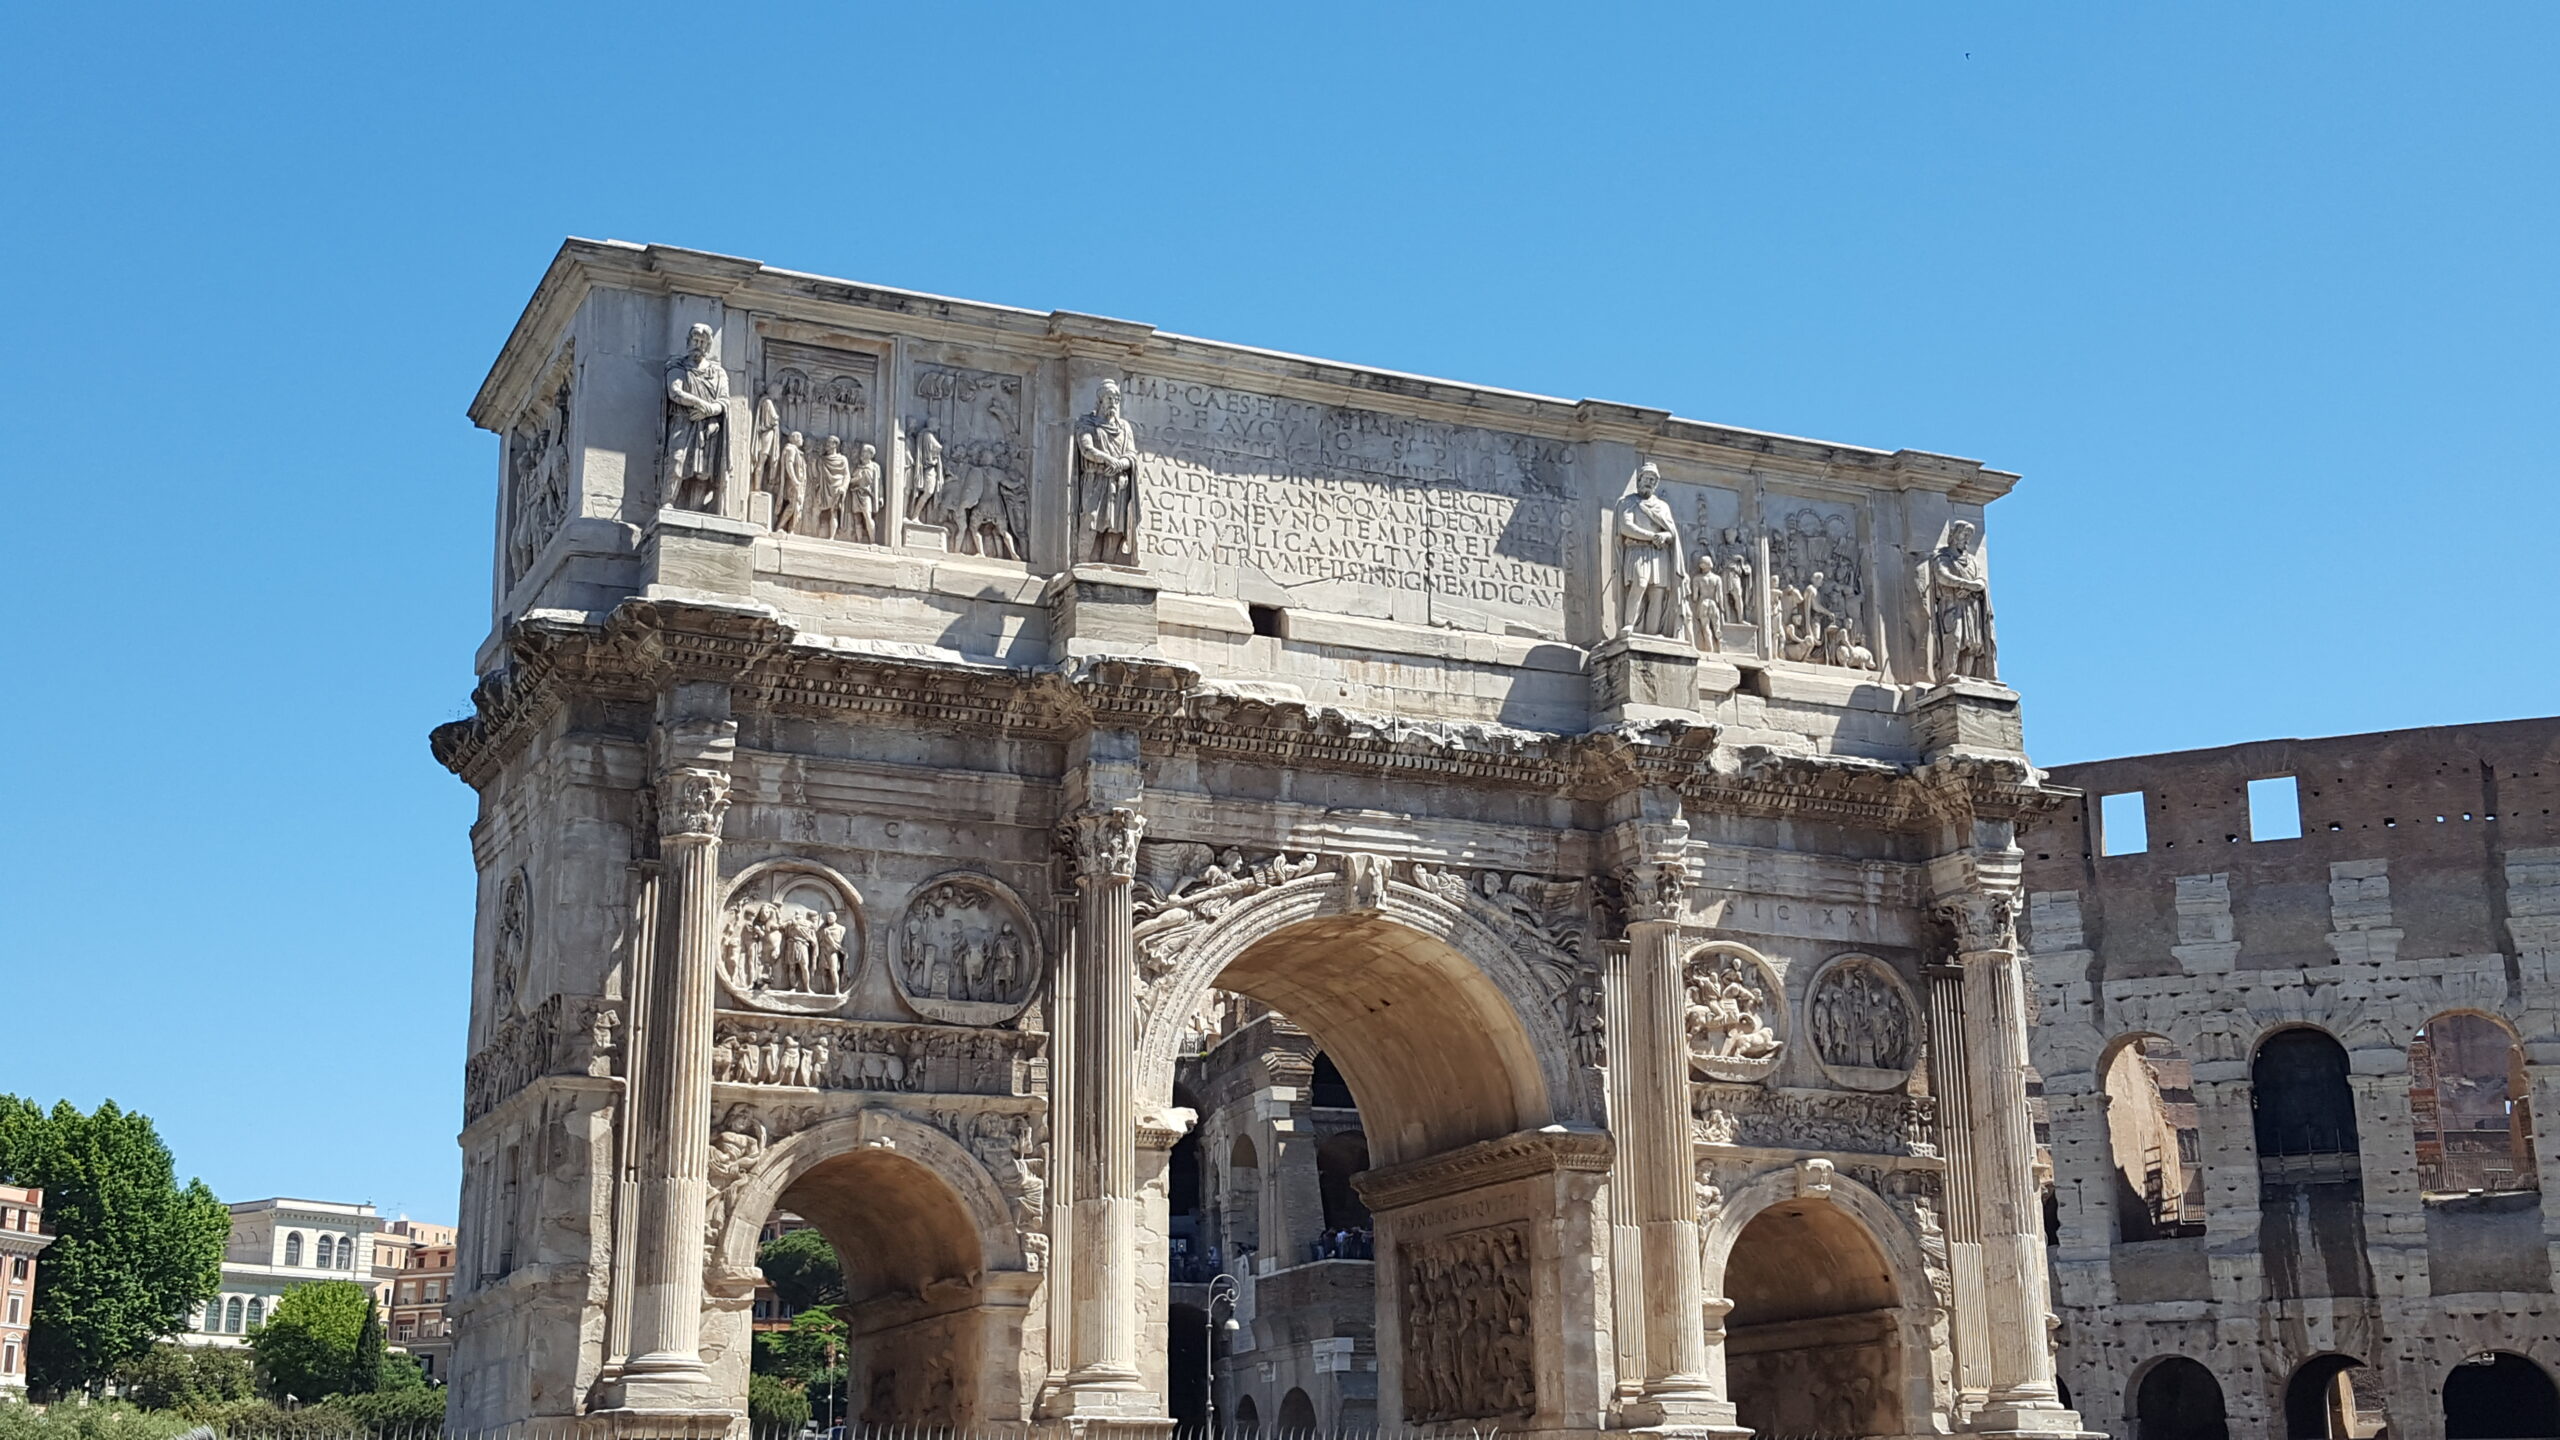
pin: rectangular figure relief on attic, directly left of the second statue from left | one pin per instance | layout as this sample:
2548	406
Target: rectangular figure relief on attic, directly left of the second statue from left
969	465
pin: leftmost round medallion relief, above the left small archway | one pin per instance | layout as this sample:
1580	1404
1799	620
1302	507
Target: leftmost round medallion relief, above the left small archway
792	939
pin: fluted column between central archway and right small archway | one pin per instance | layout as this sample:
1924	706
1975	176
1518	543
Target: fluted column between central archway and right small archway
1658	1124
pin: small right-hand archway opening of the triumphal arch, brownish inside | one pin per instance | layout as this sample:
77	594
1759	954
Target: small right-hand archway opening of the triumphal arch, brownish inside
1814	1344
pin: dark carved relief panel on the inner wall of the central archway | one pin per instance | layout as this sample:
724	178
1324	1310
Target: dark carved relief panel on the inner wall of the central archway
1468	1326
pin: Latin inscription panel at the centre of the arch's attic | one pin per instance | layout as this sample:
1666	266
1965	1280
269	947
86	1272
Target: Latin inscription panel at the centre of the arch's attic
1320	496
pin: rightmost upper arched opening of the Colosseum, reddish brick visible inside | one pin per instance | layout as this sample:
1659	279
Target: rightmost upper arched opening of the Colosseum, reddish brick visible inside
2472	1108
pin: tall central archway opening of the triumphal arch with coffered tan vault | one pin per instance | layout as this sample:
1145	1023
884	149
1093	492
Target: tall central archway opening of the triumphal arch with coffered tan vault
1340	1044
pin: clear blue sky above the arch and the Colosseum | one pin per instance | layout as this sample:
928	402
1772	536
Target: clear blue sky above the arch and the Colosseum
2262	304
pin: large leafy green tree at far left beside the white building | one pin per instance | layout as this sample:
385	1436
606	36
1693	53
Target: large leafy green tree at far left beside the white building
132	1249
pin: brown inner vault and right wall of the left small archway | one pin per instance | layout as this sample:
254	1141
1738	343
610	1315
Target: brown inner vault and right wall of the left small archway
923	1344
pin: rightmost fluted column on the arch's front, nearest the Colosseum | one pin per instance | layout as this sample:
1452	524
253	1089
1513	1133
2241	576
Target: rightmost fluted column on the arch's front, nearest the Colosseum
2003	1139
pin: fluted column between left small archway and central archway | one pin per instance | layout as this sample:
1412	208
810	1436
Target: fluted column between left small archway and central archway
1102	1349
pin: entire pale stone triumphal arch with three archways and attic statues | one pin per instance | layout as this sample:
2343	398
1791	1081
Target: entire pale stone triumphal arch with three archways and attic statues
908	721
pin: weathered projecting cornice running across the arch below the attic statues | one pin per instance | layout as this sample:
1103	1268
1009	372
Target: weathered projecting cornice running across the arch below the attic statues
772	670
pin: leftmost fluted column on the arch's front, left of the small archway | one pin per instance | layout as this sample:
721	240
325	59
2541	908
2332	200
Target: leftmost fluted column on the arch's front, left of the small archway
672	1113
